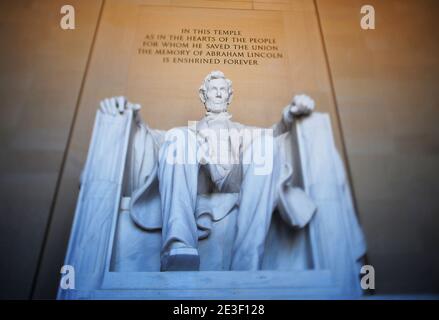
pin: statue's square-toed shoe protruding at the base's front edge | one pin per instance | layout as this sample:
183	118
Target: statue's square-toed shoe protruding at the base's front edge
181	259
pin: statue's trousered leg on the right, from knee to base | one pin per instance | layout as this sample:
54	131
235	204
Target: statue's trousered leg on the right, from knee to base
257	199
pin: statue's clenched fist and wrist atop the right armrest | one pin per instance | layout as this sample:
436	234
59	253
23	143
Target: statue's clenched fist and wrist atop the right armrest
301	105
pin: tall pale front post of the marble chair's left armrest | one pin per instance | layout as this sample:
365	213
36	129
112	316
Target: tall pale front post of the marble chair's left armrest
98	201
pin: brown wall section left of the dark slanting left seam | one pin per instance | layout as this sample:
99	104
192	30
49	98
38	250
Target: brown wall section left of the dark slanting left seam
41	72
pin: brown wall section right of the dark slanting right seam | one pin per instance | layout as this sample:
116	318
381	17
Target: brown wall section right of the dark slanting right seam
386	83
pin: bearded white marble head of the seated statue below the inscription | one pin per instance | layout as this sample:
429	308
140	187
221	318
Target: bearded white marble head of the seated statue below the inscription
216	92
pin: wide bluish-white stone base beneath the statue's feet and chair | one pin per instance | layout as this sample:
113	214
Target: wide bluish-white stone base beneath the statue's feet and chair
229	285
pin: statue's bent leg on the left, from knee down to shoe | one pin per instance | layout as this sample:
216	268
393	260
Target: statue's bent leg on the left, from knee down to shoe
178	177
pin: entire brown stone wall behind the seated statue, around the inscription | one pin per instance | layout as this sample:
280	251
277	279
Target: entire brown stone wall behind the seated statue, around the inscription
379	89
